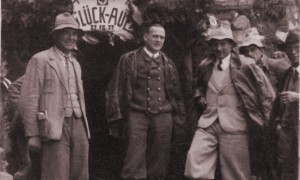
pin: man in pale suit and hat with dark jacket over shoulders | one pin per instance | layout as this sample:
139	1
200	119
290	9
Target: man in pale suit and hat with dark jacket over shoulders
237	98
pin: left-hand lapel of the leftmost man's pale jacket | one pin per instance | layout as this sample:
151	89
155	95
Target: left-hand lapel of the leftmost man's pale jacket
54	63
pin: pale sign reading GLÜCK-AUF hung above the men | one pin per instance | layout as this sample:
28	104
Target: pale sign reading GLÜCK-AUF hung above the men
102	15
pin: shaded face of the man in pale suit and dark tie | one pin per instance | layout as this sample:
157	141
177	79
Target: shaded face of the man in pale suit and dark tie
222	48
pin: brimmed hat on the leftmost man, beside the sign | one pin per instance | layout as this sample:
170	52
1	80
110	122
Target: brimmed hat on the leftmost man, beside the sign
66	20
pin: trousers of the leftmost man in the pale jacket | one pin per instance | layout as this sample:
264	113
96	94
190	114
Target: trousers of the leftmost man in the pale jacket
67	158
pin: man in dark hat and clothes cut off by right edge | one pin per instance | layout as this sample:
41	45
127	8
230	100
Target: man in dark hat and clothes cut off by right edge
286	112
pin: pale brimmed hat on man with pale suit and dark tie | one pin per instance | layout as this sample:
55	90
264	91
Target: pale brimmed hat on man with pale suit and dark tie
223	31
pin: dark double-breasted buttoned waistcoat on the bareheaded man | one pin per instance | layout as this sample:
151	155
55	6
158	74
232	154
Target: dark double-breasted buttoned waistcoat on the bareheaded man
149	90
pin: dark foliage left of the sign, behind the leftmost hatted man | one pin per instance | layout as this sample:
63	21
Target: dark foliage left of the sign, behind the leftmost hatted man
25	26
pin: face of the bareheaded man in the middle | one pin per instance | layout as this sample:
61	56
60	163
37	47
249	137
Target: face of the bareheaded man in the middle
154	39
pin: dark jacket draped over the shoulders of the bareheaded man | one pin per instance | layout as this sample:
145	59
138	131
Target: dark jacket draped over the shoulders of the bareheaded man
119	92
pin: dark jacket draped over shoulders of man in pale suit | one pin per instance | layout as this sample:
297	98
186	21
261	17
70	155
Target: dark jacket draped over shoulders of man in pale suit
256	93
